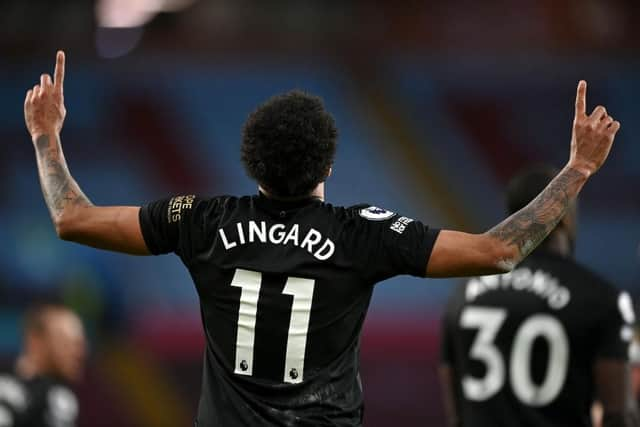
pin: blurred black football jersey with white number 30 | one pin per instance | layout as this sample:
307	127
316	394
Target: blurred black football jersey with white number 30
522	345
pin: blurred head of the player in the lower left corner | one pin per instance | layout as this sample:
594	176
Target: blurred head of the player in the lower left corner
54	343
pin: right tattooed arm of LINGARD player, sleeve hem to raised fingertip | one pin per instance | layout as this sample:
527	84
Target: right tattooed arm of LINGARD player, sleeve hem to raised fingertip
500	249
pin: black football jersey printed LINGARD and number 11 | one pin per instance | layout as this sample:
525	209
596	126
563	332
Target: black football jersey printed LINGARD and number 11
284	288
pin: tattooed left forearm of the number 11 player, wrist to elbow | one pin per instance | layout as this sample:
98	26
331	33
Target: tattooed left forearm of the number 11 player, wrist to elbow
60	190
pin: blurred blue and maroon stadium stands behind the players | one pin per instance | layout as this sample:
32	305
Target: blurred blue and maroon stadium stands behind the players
438	104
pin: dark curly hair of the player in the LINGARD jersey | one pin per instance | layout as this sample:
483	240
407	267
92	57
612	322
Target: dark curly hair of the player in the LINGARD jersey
288	144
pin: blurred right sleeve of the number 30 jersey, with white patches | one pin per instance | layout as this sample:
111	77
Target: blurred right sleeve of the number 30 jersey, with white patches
614	328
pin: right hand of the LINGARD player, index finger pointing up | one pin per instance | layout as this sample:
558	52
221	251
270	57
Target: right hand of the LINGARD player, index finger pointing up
592	135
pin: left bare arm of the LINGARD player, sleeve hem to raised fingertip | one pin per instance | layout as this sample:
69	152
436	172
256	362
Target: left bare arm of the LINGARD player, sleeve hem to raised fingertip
75	218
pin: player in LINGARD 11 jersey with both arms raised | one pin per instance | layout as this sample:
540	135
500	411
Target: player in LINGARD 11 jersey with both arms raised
285	278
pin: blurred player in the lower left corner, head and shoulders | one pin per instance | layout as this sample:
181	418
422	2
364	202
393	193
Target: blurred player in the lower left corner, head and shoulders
39	393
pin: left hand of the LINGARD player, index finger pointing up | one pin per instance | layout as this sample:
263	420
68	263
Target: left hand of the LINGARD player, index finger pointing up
44	110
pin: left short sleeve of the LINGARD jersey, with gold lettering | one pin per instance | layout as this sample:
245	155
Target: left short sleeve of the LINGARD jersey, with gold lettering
175	224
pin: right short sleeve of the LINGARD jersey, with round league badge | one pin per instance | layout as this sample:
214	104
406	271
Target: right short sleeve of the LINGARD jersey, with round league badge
387	244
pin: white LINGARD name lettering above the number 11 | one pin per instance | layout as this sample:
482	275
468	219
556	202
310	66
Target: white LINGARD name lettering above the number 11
278	234
